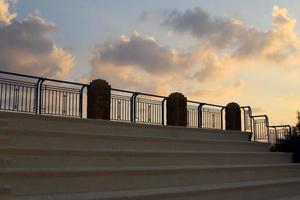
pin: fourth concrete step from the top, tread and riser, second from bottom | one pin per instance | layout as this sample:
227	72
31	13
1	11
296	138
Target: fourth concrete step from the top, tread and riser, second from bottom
42	181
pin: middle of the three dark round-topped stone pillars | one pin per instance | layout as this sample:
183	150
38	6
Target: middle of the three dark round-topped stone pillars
176	110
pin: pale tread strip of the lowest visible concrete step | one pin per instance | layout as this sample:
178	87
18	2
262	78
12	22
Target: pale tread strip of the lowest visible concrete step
154	192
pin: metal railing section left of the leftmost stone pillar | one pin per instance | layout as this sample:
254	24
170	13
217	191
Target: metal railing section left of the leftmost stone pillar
24	93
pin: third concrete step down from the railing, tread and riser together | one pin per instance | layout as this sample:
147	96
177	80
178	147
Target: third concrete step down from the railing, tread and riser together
39	158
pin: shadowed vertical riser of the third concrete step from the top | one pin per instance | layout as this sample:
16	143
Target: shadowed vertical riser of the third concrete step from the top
56	160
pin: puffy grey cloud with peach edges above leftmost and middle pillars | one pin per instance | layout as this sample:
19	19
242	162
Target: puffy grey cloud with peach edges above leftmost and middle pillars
144	53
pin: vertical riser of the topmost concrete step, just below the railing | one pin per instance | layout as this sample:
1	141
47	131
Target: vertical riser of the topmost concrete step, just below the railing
124	128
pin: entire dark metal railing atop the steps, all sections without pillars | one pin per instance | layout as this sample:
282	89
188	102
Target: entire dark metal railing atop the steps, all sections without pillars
39	95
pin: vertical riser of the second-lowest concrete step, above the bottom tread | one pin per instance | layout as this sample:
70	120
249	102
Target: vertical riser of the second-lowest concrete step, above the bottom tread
26	184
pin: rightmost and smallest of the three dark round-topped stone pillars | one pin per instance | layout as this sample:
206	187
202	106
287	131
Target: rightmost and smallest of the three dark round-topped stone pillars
233	117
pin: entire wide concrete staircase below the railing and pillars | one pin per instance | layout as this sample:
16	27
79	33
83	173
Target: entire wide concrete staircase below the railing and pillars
54	158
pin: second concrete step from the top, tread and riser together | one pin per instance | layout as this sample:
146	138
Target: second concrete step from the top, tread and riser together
64	139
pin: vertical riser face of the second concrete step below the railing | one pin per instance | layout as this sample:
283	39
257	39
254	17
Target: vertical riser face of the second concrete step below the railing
72	141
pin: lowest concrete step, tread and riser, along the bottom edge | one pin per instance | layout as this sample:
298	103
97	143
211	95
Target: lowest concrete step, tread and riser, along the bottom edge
258	190
